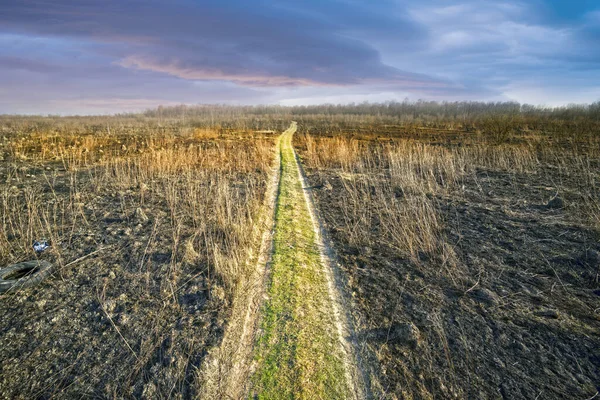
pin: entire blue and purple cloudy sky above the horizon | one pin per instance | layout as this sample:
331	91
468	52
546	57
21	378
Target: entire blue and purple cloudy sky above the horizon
114	56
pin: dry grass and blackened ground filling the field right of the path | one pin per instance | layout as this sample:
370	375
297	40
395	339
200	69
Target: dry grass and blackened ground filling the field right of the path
392	203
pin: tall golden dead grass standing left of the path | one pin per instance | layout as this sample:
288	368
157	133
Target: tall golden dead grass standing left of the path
209	185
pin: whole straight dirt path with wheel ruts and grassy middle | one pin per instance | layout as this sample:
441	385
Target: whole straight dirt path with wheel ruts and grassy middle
289	334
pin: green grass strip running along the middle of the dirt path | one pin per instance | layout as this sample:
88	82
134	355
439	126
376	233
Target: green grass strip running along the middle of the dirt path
299	353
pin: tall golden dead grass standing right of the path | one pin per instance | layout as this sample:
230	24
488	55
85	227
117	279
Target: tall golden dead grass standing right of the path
392	186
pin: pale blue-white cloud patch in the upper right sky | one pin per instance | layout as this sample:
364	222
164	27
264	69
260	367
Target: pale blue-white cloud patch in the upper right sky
497	45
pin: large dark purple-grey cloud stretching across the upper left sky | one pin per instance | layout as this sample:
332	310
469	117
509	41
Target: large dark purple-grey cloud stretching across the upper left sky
267	46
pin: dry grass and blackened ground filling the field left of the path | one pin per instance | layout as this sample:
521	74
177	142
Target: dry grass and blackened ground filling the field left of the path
173	212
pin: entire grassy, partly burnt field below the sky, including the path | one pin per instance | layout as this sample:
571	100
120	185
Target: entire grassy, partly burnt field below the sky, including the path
447	254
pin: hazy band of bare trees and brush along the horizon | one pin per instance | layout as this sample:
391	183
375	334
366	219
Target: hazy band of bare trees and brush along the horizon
499	121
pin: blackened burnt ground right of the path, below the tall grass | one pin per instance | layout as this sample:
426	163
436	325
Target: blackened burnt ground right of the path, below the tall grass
517	317
